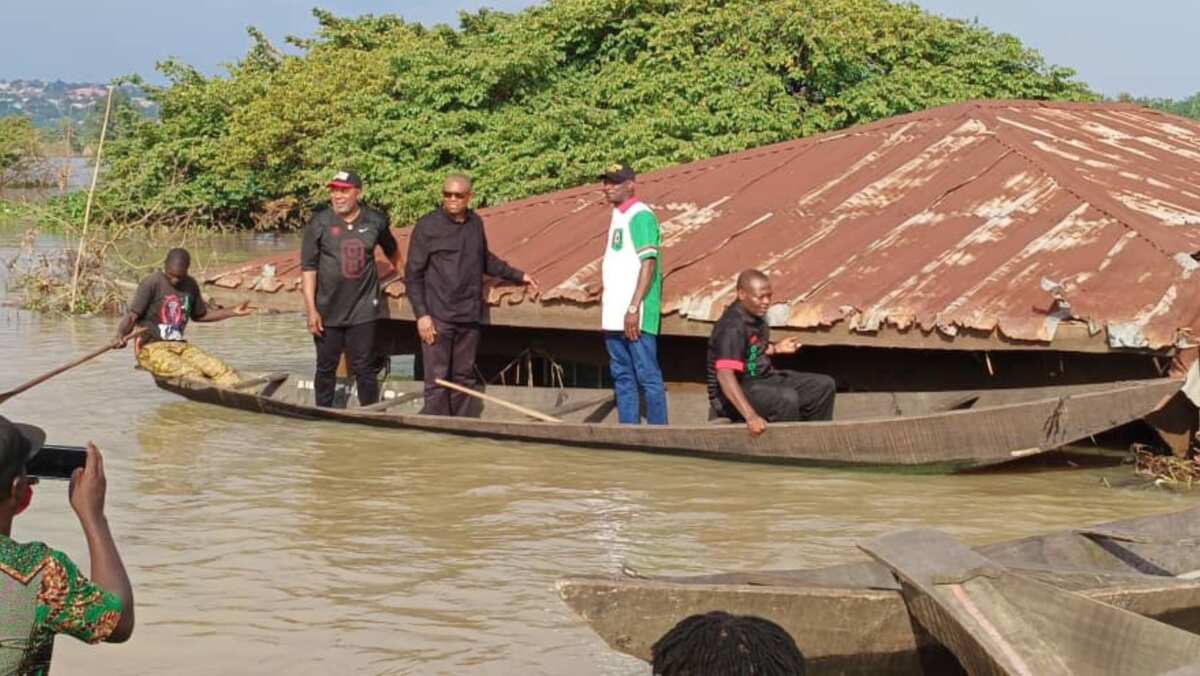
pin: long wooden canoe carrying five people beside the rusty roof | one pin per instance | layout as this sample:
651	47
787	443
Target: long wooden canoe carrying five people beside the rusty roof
937	432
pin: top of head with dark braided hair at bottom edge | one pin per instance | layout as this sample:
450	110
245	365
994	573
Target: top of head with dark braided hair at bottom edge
719	644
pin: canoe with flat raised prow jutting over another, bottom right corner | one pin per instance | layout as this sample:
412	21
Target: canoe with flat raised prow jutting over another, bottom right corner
999	623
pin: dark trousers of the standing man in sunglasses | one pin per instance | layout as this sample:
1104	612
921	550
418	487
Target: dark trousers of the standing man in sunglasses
452	358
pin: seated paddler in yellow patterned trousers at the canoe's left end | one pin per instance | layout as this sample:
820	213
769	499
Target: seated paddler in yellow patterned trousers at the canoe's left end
164	304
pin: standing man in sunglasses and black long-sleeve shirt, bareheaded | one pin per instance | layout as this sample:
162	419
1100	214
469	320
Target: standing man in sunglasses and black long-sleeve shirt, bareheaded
448	258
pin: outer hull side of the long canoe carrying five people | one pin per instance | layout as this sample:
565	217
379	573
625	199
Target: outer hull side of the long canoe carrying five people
935	442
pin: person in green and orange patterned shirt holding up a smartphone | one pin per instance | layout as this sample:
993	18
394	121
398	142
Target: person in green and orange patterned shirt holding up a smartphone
45	593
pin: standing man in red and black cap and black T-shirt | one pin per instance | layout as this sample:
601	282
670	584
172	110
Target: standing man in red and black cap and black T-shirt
341	286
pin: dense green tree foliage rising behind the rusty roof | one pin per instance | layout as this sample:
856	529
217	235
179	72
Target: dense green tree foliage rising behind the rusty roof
541	100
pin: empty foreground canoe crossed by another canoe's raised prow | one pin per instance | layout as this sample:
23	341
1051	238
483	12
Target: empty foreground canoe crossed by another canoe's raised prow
851	619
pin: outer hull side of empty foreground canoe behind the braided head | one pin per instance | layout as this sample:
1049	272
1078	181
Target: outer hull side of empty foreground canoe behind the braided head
838	631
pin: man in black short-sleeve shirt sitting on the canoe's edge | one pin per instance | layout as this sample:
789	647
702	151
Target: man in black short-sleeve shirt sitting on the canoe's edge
742	385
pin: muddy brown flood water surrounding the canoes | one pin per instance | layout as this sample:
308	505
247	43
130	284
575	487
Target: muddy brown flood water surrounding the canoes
259	545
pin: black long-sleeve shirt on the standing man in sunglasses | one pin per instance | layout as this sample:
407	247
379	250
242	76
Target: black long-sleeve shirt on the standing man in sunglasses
446	267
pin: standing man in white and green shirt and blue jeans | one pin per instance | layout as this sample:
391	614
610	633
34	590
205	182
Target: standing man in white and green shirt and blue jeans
632	304
